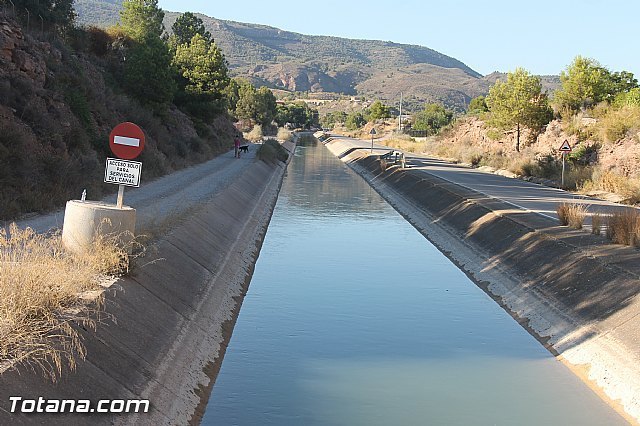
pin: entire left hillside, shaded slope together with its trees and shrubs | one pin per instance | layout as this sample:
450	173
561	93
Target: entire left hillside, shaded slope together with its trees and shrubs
60	98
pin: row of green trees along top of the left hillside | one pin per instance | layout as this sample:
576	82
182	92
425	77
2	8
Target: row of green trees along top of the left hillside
189	69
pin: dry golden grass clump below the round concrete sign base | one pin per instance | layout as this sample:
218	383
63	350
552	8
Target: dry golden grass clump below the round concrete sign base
45	291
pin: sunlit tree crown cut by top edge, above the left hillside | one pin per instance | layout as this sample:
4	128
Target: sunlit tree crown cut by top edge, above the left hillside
141	19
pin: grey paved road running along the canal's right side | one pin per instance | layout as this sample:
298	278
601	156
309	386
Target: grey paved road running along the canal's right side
521	194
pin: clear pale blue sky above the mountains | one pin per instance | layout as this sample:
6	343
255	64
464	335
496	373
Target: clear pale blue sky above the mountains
543	36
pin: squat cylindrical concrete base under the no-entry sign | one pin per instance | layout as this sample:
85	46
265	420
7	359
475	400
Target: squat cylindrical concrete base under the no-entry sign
83	220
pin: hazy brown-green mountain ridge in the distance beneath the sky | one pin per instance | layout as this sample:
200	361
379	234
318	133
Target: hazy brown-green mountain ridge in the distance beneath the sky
318	64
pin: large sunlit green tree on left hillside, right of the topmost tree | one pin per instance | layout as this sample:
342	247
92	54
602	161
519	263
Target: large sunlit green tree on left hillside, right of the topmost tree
203	77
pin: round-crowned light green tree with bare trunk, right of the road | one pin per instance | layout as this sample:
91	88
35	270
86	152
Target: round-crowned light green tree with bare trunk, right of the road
518	102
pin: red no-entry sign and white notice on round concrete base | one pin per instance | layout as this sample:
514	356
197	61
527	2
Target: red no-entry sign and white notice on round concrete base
85	220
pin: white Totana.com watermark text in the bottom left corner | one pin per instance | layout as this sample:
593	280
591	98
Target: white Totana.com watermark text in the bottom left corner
41	405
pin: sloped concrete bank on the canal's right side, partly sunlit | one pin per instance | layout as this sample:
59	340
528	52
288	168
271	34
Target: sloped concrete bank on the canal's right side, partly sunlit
574	292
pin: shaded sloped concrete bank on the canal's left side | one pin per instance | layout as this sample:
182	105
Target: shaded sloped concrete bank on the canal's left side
173	316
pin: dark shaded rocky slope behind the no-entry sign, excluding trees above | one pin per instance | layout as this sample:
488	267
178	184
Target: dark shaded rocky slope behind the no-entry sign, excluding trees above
57	108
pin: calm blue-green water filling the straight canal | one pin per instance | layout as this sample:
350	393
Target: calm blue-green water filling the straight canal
354	318
